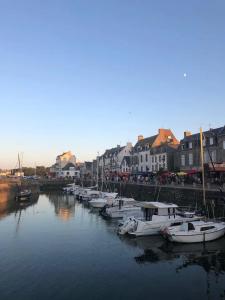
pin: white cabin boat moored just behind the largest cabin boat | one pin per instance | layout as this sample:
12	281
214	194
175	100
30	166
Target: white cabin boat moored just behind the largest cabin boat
123	208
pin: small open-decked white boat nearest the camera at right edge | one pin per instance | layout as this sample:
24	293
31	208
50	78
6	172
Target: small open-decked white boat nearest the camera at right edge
195	232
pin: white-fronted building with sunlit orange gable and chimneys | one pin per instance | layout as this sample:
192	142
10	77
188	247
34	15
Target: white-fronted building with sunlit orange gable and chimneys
141	154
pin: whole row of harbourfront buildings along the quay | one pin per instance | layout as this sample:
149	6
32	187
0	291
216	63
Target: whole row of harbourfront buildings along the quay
160	152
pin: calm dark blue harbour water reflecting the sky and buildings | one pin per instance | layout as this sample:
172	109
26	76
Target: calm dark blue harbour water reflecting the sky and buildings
59	249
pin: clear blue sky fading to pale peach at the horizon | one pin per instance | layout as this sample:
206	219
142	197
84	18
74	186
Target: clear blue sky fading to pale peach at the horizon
87	75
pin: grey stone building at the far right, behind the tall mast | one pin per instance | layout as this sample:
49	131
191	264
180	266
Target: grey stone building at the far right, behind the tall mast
214	150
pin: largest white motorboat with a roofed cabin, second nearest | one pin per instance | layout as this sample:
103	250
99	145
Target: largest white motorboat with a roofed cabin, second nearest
155	216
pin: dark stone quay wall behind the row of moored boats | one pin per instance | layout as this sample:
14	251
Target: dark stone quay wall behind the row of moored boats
180	195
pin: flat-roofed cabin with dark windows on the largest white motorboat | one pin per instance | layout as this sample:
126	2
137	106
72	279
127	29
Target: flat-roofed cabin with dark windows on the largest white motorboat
157	208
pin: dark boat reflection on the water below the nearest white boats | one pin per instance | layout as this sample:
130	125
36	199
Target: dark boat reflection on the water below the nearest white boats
211	256
